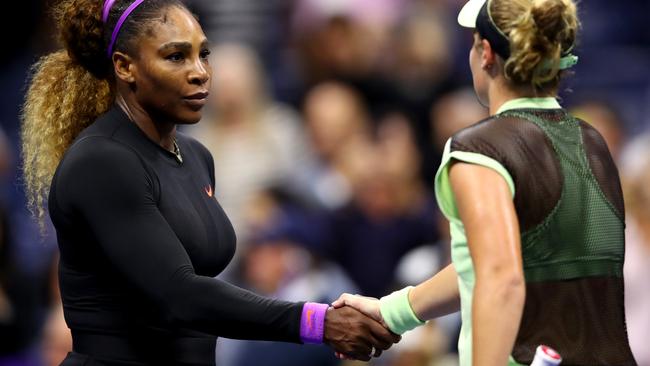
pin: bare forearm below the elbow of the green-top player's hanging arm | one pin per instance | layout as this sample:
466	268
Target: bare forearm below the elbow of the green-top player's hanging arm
496	313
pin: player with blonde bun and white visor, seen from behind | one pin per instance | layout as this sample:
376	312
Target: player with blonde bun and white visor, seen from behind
534	203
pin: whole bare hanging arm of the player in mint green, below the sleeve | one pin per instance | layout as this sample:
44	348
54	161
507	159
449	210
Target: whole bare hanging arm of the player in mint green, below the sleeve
487	211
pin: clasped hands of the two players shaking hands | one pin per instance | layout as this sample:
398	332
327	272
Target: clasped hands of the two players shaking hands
355	328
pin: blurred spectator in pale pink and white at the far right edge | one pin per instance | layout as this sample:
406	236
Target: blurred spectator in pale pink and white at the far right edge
635	176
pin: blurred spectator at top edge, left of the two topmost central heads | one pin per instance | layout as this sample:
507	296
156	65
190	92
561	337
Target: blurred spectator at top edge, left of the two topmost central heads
341	39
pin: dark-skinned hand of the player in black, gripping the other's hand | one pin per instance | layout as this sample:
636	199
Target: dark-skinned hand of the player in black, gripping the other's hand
353	334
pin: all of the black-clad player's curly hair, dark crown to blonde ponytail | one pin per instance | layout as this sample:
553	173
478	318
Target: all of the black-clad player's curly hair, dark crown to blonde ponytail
70	88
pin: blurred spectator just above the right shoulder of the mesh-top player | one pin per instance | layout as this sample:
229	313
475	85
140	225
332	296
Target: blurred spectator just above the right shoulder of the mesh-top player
604	118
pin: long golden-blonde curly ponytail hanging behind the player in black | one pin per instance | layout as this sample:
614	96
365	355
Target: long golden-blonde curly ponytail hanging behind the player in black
63	98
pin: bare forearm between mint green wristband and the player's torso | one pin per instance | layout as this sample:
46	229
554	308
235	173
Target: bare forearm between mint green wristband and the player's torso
437	296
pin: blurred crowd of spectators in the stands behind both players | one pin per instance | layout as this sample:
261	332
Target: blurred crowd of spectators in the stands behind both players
327	122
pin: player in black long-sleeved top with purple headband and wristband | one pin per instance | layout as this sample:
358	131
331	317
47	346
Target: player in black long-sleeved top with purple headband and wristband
140	233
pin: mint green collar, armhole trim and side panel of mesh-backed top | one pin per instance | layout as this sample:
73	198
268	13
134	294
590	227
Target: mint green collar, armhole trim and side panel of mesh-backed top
461	258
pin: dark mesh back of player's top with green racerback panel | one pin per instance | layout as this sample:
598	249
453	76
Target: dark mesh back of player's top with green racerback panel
570	207
